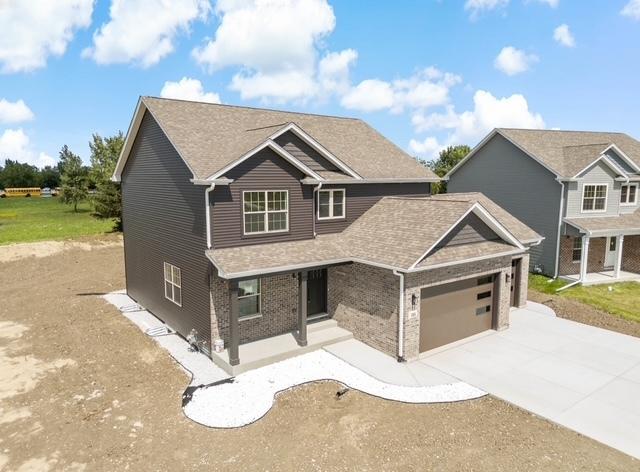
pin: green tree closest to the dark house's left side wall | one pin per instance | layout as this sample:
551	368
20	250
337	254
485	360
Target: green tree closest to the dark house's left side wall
104	157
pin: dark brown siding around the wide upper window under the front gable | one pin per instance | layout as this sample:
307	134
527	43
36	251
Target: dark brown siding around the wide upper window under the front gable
264	171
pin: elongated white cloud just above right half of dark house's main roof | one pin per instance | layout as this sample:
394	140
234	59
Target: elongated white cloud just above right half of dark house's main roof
427	88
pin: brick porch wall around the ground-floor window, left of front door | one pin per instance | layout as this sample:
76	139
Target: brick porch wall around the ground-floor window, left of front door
279	309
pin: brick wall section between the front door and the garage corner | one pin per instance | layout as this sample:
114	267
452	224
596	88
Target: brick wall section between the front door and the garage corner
364	300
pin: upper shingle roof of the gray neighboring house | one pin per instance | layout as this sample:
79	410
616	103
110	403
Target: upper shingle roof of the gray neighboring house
568	152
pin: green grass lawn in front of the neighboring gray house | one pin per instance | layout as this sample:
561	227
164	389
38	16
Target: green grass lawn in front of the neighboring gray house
622	300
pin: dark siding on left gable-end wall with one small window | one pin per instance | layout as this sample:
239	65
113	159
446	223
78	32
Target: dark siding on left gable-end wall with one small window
164	221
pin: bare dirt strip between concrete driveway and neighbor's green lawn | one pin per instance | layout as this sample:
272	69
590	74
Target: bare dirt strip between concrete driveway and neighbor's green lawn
582	313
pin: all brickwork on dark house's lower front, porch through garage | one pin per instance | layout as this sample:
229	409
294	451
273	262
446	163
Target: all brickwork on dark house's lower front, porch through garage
364	300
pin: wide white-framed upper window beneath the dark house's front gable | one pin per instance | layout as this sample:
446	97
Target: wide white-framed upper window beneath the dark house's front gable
266	211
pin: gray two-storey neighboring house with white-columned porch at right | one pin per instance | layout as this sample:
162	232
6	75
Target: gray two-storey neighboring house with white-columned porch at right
577	189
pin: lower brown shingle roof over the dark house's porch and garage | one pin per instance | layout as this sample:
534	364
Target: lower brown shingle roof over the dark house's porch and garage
395	232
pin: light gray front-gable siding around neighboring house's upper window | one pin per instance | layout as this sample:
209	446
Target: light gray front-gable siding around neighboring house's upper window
598	174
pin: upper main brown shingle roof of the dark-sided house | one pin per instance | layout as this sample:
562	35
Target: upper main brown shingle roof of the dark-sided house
211	136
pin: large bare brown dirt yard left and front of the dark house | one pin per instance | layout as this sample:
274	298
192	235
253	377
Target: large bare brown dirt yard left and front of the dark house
83	389
